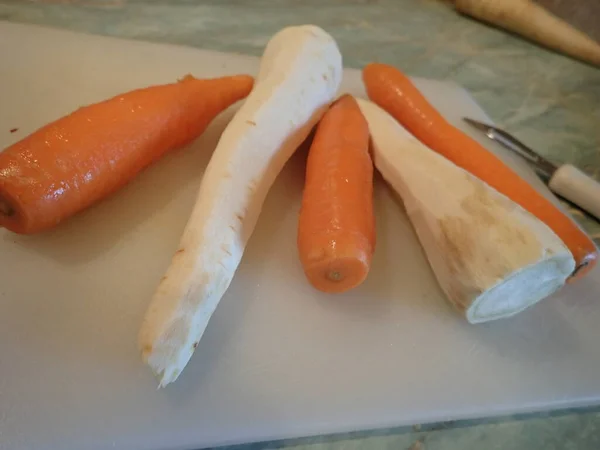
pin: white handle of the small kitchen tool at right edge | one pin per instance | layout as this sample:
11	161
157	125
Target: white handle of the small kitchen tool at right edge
577	187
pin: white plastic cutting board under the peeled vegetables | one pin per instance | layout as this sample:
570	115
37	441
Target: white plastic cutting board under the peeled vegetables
278	359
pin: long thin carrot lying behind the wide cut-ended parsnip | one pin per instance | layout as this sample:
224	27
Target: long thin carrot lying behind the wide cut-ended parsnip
395	93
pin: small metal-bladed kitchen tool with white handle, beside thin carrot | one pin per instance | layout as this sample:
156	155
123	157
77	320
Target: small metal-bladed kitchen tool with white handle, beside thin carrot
567	180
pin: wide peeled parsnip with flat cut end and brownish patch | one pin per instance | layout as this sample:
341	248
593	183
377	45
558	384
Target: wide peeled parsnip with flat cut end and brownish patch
491	257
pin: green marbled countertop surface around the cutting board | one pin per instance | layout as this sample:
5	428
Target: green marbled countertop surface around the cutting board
547	100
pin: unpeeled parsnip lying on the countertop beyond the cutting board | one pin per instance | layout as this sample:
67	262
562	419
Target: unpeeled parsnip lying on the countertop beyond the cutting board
532	21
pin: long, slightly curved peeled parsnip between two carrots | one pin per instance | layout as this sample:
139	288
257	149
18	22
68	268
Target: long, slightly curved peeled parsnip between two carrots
300	73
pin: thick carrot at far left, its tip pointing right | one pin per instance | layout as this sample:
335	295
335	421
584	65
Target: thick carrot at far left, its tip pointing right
77	160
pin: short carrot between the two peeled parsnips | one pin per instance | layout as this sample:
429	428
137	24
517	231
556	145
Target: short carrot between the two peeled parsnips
336	229
